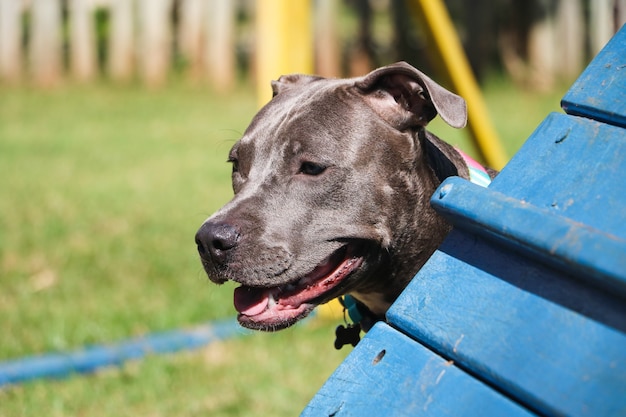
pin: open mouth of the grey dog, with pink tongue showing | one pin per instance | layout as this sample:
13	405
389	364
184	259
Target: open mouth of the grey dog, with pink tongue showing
276	308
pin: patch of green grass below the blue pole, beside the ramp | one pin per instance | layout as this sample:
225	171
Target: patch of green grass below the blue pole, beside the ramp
258	375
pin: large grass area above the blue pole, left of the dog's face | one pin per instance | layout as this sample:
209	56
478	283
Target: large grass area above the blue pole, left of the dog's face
102	192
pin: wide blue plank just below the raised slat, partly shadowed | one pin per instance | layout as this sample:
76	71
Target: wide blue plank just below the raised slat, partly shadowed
483	308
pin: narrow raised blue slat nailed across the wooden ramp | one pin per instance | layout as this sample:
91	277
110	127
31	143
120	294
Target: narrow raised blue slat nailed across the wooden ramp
590	254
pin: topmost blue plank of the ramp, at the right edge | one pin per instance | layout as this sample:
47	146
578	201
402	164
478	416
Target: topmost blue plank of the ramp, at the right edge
600	91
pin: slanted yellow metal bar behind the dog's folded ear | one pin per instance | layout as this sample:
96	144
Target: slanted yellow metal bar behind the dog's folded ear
447	45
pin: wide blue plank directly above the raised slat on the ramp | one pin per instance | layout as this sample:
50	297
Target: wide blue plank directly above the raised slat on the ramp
573	167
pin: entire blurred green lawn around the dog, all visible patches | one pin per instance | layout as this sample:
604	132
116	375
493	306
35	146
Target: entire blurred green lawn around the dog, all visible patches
102	190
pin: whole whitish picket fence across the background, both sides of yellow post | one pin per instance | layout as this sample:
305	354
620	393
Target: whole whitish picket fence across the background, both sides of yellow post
45	41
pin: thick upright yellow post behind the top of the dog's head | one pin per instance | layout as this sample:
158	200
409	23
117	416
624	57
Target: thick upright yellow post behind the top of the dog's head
284	42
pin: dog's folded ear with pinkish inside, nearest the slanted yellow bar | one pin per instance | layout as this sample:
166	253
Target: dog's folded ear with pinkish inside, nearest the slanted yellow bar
399	88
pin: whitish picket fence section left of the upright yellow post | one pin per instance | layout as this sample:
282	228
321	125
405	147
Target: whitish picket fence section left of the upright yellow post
141	38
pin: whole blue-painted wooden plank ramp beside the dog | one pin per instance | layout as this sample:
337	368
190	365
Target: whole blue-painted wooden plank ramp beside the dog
522	310
